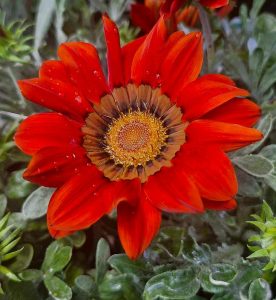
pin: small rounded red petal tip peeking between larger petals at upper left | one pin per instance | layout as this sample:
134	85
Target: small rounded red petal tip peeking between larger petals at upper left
53	69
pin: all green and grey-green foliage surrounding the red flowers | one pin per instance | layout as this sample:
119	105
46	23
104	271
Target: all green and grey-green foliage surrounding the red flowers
193	257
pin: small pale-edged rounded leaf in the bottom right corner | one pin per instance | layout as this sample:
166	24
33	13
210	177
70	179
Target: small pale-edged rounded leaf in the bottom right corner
259	289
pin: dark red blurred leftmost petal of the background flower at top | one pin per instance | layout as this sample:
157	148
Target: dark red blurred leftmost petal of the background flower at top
142	17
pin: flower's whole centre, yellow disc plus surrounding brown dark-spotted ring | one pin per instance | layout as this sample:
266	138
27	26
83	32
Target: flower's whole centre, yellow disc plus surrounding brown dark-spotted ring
133	132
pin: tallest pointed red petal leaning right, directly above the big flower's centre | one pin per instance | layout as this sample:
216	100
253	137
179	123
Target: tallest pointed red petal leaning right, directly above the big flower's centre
146	61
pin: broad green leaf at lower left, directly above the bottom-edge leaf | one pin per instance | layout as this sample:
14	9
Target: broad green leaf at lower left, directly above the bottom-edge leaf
56	257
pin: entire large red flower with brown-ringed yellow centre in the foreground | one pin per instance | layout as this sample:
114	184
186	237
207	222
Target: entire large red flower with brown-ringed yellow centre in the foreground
150	139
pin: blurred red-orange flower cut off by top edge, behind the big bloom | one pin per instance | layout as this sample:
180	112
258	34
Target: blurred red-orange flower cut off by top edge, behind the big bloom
146	15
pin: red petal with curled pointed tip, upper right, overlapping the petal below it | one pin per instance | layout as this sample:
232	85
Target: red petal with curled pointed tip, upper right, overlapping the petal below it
207	93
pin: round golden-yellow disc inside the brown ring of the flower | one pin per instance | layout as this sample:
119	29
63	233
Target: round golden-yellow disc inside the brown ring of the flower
135	138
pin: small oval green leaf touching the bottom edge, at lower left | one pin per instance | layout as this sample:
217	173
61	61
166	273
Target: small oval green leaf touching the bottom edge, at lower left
57	288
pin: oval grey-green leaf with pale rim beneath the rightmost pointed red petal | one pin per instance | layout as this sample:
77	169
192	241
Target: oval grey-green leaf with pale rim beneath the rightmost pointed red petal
254	165
